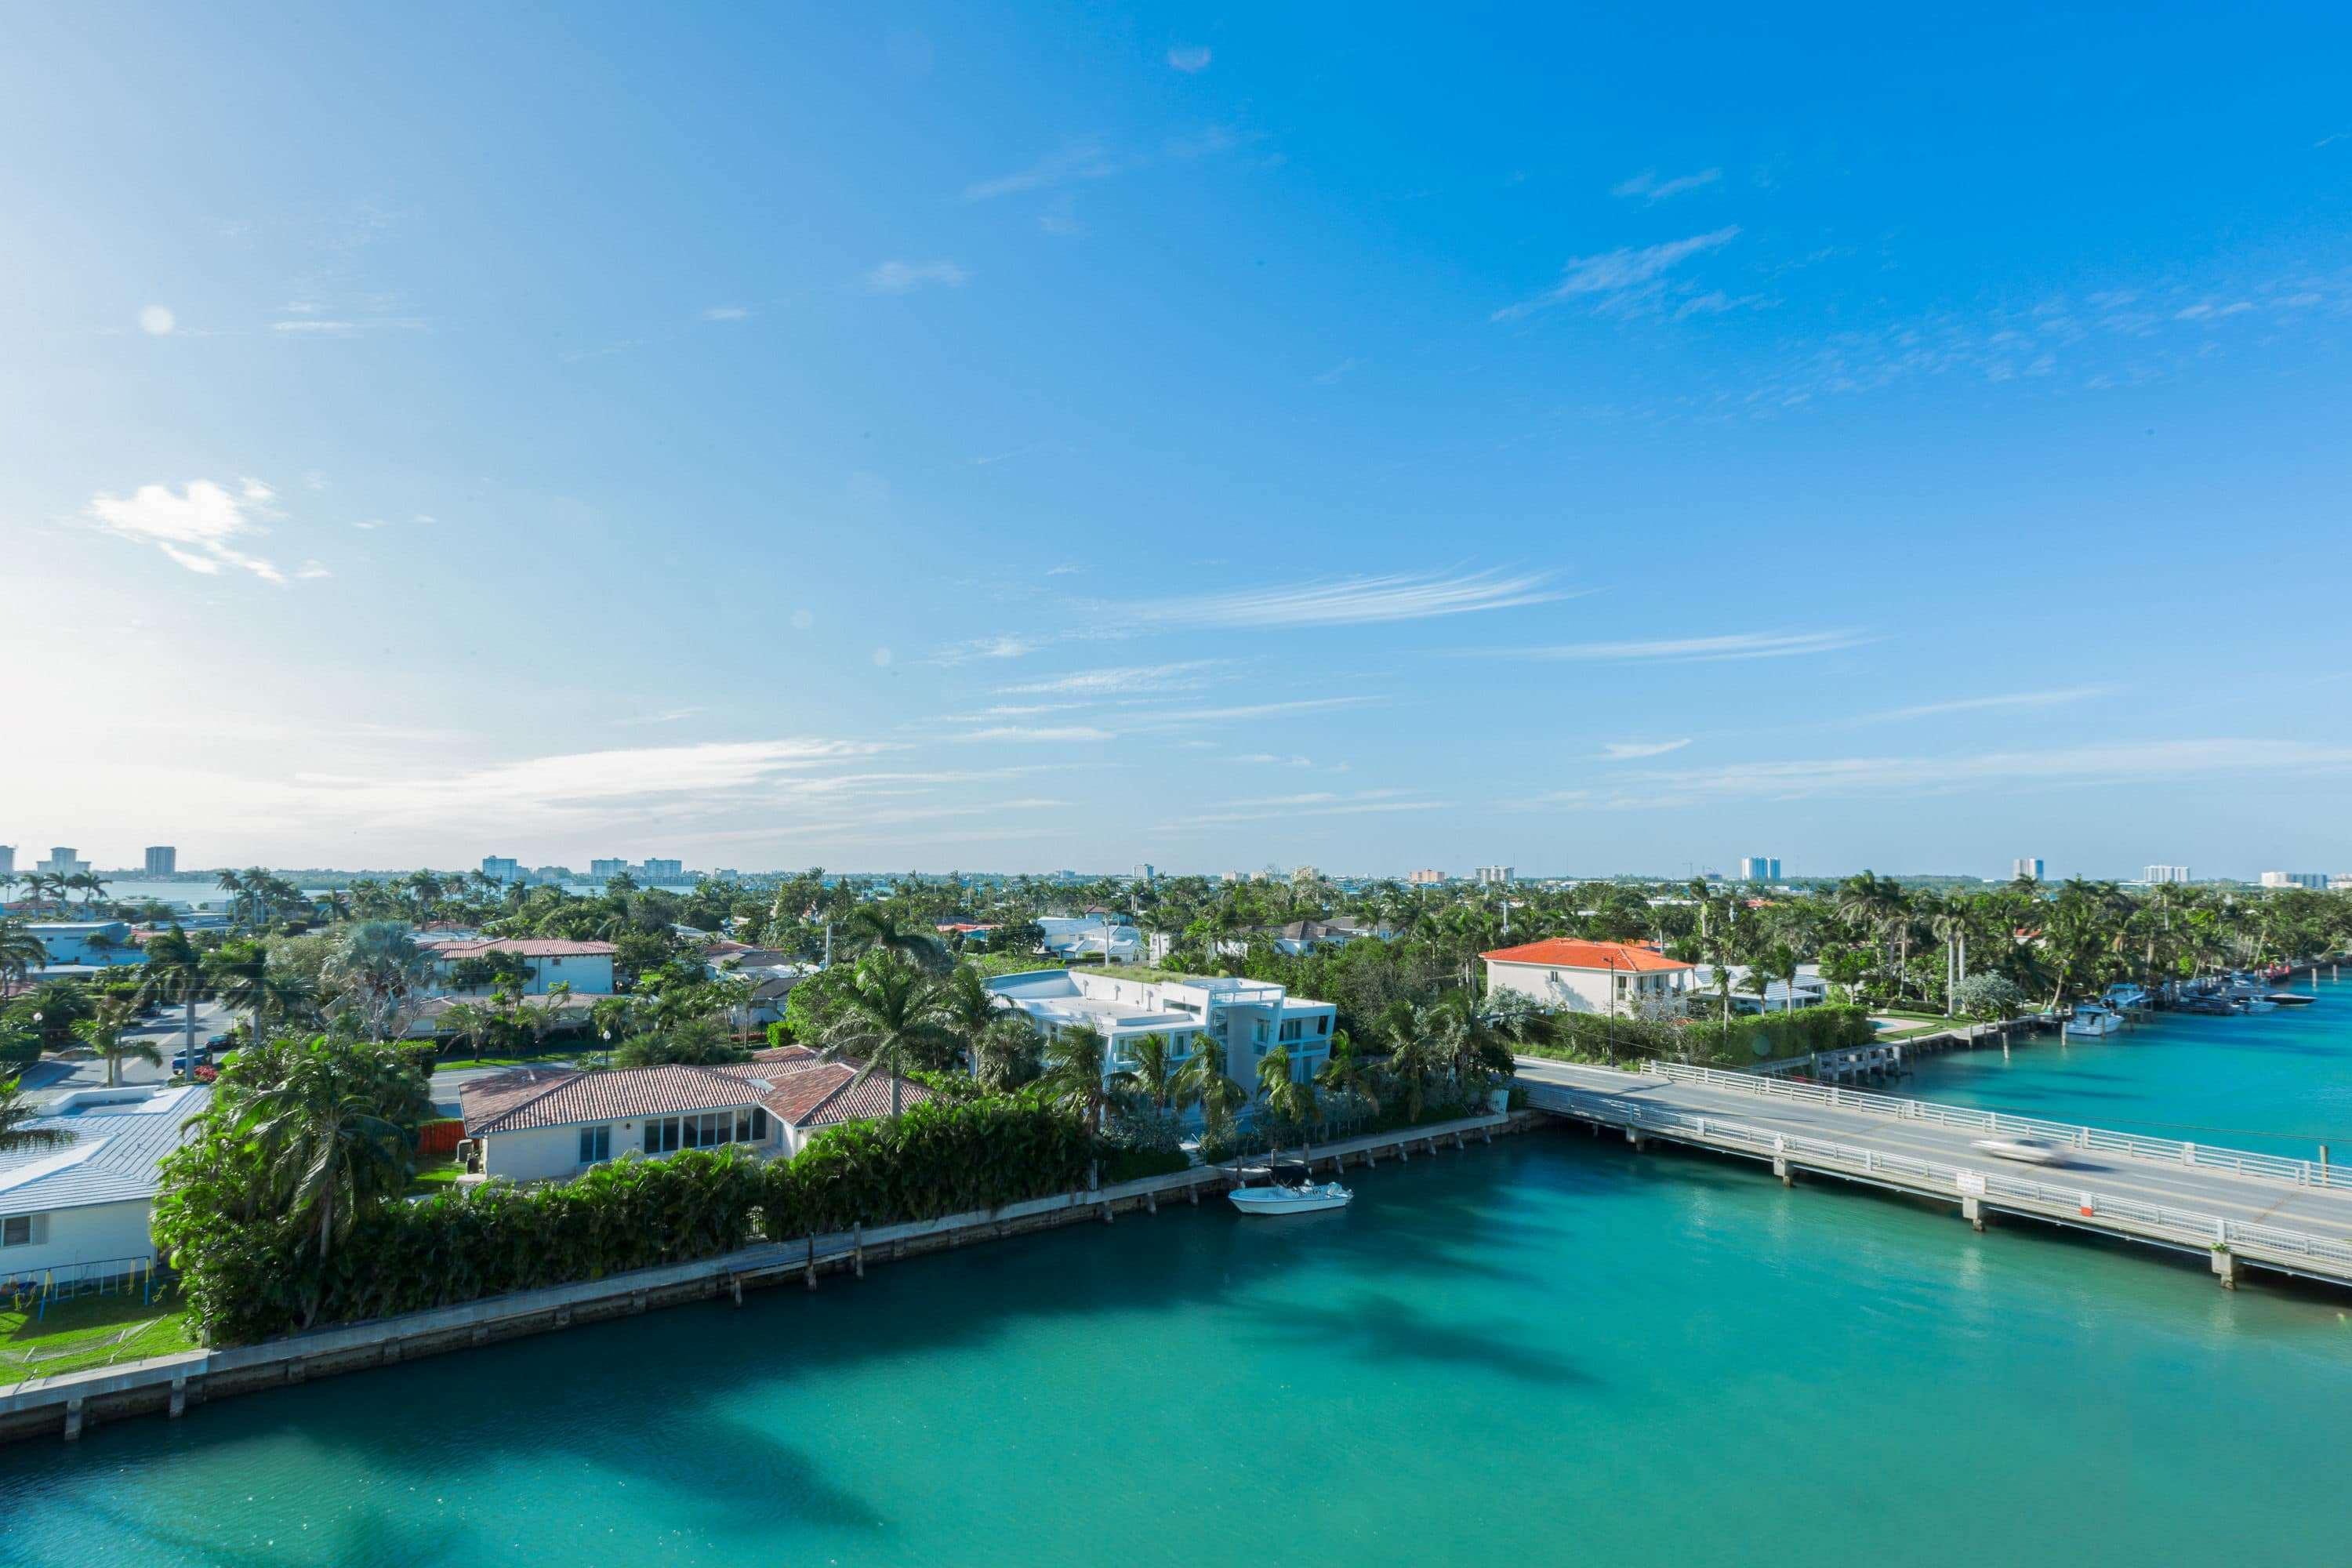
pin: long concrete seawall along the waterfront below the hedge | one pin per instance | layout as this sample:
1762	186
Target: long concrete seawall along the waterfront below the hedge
168	1386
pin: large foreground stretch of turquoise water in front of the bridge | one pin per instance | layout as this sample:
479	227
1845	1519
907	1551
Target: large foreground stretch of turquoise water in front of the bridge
1544	1353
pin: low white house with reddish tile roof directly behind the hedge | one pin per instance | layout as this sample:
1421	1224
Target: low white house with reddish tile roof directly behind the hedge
537	1125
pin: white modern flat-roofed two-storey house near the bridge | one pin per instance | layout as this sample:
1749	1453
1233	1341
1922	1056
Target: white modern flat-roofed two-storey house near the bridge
1243	1019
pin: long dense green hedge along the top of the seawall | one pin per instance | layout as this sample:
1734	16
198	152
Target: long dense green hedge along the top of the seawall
258	1280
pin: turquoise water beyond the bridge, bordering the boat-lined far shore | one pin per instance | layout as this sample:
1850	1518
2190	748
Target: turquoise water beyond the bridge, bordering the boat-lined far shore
2271	1083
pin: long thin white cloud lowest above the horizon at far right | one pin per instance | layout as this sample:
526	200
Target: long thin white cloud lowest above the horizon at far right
2080	765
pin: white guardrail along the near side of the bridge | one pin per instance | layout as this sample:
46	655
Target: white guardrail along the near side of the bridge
2073	1205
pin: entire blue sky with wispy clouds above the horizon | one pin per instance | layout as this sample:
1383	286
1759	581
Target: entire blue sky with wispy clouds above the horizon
1048	436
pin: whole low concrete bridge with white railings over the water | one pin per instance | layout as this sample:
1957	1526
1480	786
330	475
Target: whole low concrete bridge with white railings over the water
2224	1205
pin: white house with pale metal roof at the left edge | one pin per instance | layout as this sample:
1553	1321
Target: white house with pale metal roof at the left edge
83	1207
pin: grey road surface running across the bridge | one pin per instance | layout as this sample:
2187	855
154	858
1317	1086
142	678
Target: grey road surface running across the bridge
2320	1212
